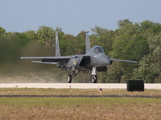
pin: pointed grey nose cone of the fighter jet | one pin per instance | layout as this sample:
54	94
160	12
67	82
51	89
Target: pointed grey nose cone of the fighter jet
103	60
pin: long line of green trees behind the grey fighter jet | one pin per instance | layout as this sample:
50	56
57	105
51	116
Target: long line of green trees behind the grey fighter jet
139	42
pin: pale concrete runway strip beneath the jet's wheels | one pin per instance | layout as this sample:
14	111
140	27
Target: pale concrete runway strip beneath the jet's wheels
76	85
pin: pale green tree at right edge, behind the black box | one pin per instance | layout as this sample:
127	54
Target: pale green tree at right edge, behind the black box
149	66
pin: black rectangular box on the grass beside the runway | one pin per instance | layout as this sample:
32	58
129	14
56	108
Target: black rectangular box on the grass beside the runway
135	85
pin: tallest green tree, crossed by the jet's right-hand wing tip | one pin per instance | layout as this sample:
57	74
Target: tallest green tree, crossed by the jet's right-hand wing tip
129	44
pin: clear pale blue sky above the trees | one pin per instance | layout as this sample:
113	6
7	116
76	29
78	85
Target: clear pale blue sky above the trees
74	16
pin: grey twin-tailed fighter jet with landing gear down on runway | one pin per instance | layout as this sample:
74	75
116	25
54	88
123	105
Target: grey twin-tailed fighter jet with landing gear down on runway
94	59
